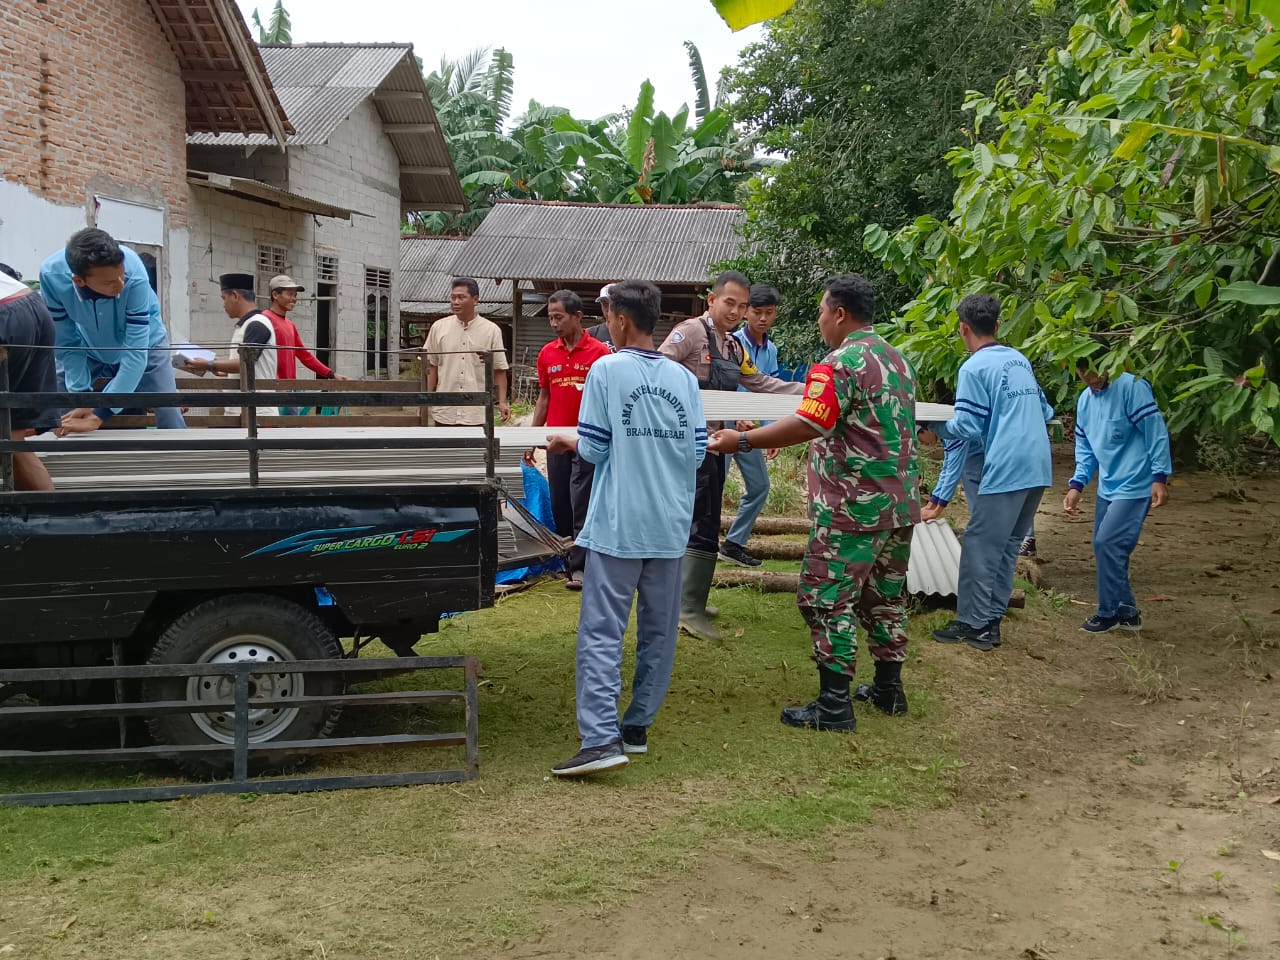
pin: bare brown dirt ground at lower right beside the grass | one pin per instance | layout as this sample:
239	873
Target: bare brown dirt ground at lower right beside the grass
1117	798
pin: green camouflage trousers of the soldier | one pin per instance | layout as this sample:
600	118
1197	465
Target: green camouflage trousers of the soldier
851	579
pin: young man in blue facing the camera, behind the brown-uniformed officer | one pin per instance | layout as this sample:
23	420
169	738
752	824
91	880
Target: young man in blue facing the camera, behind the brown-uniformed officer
762	313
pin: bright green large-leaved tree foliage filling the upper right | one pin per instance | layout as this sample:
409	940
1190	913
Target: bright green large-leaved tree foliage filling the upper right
1123	193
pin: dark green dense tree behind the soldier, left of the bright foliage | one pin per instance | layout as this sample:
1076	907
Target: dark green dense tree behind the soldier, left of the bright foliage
863	99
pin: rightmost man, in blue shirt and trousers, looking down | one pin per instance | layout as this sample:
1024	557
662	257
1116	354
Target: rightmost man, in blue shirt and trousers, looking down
1122	437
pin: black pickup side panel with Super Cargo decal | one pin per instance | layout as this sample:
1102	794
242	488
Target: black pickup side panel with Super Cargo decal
86	570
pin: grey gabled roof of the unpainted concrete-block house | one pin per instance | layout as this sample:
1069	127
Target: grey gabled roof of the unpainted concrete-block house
321	85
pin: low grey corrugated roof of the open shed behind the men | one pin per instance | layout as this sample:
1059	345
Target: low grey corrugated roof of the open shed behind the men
601	243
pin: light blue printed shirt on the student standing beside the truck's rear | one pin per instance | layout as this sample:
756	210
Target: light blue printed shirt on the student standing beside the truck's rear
642	426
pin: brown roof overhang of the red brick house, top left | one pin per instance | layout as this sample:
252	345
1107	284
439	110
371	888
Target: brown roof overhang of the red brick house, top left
228	90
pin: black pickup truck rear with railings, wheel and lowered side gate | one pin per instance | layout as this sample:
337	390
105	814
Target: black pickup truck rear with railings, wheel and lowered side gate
182	607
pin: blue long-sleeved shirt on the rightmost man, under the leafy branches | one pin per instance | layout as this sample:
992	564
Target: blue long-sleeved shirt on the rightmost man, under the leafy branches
1121	436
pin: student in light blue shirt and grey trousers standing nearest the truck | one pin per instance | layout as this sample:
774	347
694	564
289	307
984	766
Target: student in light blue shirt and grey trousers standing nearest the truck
642	424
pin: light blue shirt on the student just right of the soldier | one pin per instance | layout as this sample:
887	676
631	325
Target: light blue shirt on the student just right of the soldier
1003	412
